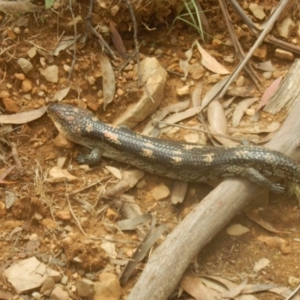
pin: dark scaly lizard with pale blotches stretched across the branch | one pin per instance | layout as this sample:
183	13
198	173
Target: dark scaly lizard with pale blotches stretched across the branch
182	161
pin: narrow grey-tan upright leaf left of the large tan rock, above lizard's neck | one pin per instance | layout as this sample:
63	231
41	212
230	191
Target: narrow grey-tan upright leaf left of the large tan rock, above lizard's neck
108	76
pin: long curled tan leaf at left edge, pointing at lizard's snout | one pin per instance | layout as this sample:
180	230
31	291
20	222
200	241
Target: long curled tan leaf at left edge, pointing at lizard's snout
23	117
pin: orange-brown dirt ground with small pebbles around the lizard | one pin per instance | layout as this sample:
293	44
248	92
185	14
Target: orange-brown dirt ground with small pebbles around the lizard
42	221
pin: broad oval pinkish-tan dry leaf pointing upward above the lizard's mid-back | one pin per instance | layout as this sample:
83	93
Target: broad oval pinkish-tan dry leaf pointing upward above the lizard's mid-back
218	123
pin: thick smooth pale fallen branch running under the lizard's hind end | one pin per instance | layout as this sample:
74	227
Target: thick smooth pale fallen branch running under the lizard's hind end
169	261
